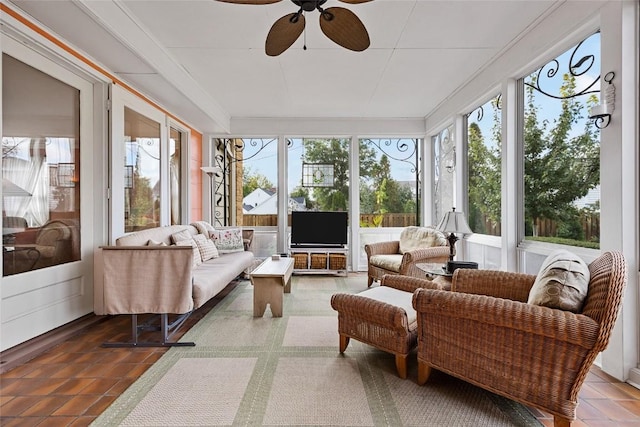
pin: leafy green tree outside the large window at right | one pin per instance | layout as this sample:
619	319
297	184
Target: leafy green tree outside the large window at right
559	168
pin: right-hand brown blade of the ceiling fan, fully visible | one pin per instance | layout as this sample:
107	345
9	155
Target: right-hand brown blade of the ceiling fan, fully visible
345	28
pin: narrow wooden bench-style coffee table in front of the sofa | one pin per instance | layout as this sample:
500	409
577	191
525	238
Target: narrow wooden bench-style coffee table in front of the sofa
270	281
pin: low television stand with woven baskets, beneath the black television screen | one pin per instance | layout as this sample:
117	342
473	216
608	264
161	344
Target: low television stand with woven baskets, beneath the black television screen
319	260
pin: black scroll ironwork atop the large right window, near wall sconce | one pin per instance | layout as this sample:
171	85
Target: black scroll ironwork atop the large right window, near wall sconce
578	66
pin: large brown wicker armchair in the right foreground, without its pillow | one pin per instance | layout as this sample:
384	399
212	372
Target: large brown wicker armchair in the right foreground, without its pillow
485	333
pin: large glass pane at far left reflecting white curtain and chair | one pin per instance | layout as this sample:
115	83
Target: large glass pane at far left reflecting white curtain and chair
40	169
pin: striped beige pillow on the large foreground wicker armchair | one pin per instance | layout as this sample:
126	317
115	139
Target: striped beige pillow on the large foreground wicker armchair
562	282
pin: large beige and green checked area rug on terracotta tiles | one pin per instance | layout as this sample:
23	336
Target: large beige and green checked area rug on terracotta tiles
287	371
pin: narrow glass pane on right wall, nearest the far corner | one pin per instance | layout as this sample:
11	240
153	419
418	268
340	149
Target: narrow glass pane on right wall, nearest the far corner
443	169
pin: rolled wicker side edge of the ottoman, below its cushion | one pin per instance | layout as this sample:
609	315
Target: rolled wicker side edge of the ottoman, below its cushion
370	310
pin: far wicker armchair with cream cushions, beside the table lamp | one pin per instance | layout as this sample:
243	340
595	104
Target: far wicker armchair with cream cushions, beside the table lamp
391	258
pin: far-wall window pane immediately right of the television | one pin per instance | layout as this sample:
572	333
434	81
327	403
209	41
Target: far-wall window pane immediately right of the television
389	182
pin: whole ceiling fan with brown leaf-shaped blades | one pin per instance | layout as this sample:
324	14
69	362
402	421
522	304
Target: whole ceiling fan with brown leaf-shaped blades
339	24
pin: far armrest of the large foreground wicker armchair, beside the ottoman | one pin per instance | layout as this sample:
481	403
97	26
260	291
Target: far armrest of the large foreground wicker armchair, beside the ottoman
499	284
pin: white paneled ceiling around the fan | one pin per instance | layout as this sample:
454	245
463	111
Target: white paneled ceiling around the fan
204	60
